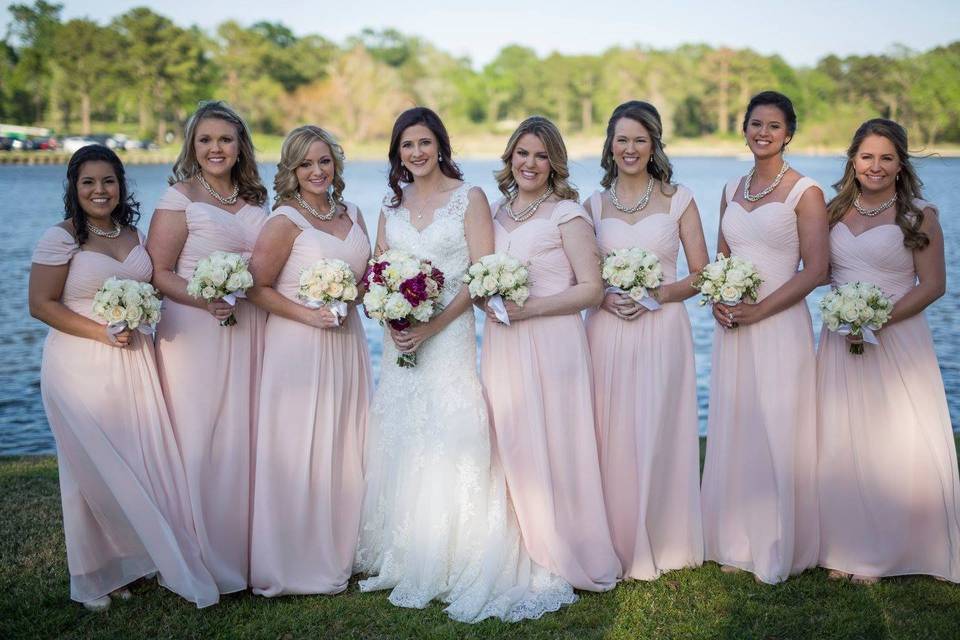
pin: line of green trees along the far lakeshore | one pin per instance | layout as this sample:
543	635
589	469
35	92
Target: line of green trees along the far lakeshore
143	68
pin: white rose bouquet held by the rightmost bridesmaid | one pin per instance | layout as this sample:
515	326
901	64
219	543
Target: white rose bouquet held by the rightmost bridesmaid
856	308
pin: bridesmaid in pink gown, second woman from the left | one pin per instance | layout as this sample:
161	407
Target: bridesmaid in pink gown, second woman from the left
209	372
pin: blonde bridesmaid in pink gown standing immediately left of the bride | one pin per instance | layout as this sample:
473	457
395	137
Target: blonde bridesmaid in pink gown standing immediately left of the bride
315	381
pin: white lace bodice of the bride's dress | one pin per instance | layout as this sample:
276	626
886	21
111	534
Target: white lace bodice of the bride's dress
442	242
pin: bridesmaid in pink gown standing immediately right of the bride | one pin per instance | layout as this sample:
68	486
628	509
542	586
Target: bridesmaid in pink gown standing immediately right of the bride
536	371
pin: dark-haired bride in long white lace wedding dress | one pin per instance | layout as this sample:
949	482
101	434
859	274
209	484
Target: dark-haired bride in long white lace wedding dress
437	521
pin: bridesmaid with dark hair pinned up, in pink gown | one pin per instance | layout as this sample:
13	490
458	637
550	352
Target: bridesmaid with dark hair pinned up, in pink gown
759	479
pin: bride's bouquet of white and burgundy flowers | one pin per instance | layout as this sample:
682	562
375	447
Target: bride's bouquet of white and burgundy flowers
402	289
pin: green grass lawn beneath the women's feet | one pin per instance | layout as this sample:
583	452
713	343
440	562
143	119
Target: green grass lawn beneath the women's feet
694	603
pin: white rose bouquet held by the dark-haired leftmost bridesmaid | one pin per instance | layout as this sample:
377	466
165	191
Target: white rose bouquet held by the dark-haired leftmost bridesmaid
127	304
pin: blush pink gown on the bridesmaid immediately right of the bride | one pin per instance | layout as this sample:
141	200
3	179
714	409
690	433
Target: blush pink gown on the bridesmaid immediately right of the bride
536	374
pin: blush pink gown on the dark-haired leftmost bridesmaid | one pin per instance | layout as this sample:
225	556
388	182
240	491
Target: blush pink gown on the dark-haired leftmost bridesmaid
126	512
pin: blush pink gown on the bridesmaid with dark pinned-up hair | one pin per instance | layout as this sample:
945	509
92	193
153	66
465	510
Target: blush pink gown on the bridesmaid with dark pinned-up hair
759	480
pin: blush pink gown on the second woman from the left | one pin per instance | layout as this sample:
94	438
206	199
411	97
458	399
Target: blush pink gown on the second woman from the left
210	382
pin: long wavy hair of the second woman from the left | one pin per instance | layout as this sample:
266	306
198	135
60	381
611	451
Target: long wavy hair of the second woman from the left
244	173
